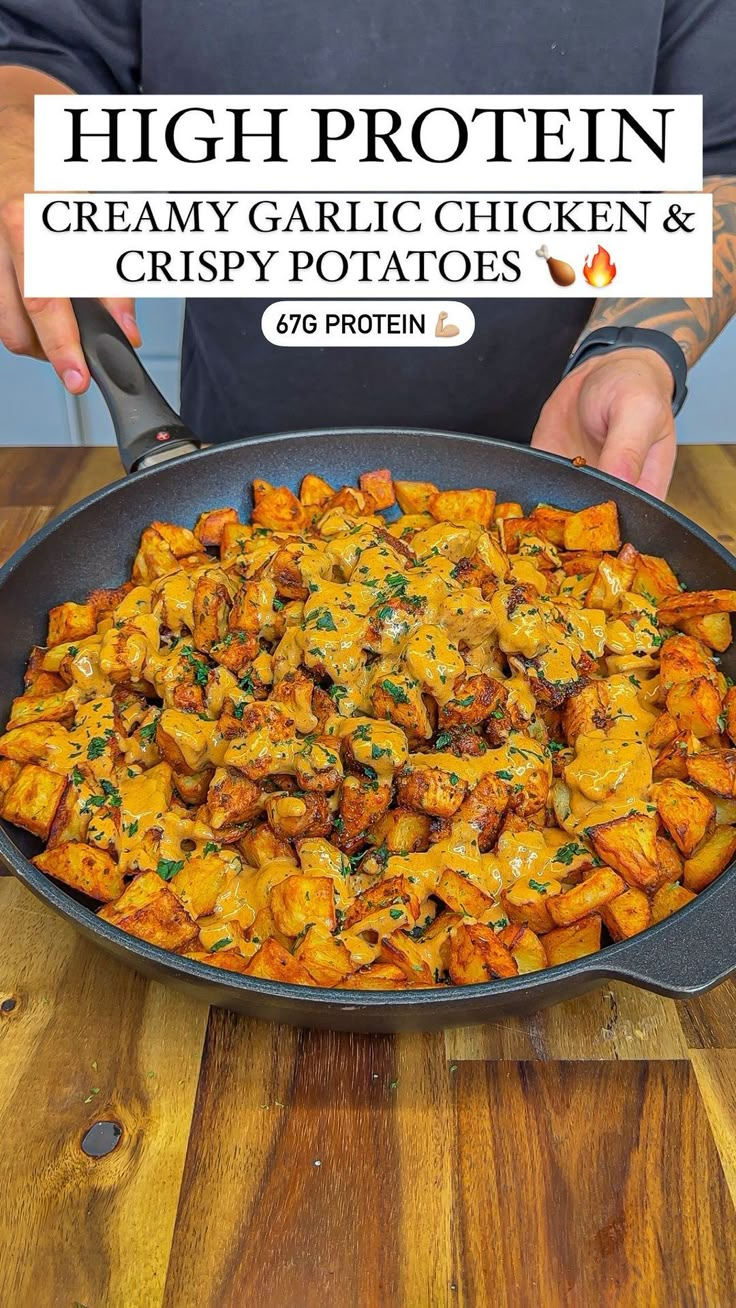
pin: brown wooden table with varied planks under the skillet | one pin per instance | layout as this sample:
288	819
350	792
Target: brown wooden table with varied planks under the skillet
584	1157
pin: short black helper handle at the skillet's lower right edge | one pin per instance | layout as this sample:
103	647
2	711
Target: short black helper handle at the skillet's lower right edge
686	955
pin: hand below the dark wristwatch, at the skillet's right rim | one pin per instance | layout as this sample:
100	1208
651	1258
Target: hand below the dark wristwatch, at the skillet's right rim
616	413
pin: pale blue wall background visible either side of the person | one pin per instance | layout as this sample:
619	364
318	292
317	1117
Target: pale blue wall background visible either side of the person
37	411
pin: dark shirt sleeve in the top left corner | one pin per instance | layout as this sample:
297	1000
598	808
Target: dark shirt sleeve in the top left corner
93	49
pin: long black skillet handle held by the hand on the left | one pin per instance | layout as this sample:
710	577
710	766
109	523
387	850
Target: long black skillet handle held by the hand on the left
147	428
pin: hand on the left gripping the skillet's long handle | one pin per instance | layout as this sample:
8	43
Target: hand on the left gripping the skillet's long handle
44	329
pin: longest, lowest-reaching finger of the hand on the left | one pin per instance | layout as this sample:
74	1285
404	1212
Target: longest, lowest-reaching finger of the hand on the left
53	321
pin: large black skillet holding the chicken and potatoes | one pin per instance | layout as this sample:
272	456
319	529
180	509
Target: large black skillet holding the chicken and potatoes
93	545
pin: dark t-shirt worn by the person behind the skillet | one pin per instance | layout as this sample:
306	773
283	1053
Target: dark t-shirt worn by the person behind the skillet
235	383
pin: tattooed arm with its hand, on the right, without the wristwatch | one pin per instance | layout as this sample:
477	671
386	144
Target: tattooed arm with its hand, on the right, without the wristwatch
615	410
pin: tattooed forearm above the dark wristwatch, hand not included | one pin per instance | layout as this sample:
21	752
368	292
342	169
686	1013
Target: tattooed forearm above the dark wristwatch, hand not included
694	324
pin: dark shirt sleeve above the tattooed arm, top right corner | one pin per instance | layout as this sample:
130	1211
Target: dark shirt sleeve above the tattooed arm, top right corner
697	56
